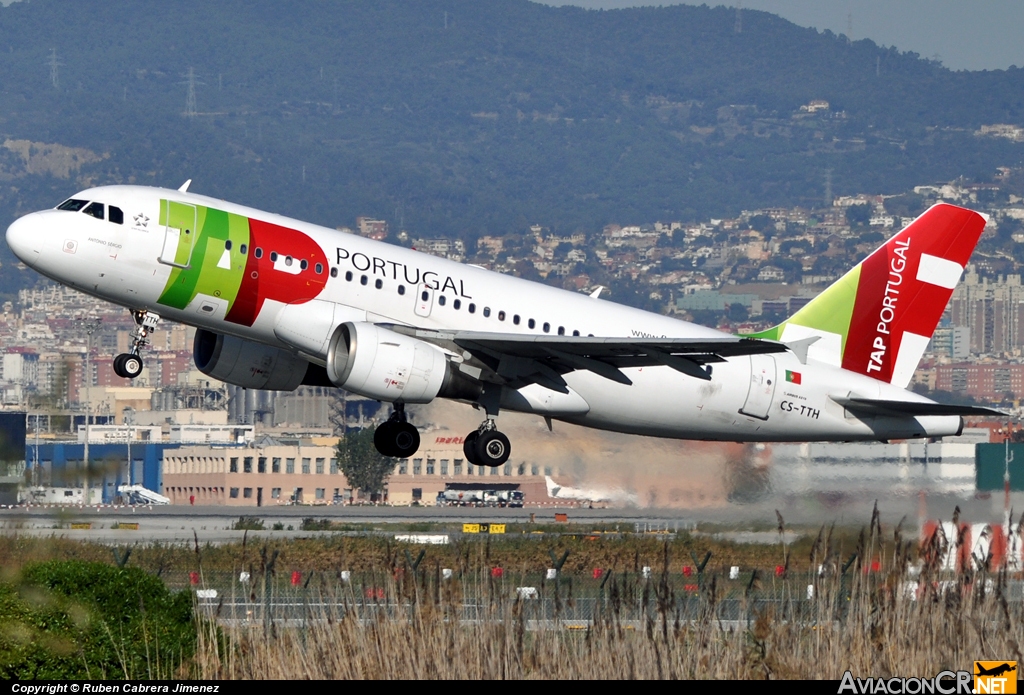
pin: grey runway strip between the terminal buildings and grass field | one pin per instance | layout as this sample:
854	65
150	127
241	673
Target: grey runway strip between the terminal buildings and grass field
215	525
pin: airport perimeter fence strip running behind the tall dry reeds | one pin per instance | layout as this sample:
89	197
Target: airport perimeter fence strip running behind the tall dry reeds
549	598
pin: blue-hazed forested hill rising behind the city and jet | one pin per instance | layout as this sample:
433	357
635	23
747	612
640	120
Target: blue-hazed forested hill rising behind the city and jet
466	117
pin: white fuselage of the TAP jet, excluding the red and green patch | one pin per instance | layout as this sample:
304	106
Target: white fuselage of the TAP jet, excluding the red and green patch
121	264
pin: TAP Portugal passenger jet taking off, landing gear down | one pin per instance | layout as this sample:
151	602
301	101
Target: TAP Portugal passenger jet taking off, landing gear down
279	303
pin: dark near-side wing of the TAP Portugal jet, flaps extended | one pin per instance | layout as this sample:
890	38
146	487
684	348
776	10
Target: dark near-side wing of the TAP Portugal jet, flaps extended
521	360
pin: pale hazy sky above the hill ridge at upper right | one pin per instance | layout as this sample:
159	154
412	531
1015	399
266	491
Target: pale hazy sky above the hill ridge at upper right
964	34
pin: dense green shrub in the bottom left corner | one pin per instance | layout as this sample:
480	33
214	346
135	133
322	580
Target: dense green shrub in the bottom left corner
74	620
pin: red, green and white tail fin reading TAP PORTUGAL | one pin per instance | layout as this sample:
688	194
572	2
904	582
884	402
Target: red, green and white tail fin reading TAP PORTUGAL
879	318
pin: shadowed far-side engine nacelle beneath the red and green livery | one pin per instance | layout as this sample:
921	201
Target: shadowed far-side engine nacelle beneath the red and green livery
246	364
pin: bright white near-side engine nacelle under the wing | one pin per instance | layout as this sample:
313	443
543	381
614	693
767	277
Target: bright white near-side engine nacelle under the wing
387	366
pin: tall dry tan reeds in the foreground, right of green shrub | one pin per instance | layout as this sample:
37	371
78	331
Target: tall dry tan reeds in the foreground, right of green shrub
860	621
